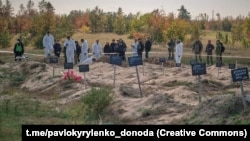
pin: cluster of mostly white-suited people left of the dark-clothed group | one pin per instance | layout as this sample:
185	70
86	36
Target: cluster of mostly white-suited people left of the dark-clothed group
74	52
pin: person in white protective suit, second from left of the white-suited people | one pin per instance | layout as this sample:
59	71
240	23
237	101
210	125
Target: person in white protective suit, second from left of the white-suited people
70	49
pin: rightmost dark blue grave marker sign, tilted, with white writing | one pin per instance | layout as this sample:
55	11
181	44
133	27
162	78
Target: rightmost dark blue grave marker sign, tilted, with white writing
240	74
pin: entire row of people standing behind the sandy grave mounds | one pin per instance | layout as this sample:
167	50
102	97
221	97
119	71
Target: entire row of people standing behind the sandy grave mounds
75	52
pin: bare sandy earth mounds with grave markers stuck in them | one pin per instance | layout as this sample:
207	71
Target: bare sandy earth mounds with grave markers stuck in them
169	93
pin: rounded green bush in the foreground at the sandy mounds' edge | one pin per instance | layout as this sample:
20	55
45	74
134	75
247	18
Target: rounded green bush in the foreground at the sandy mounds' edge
95	101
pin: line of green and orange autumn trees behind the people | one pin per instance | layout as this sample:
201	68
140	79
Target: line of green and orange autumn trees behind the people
31	24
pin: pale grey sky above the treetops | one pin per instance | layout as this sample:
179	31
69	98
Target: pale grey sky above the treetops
225	8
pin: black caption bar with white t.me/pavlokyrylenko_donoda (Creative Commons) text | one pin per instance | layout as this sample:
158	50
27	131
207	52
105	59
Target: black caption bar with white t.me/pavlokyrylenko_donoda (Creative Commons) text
122	132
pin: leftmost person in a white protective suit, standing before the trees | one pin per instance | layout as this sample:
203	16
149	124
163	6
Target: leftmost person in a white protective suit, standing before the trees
48	42
